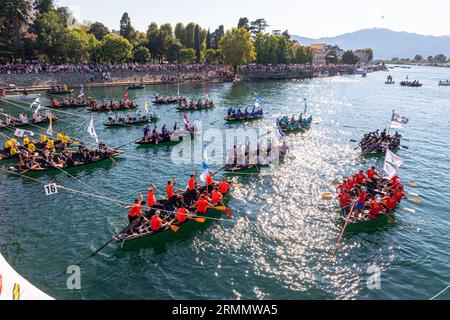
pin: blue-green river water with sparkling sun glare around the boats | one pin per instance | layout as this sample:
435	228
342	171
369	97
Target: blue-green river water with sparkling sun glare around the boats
280	243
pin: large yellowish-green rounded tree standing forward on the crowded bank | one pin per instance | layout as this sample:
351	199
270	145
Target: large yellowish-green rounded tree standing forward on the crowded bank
237	48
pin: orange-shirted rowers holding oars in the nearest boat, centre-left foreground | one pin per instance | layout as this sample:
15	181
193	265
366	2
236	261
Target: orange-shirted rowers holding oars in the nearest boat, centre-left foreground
178	207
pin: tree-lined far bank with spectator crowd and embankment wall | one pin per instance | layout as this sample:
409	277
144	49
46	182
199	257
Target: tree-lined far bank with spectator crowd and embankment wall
43	45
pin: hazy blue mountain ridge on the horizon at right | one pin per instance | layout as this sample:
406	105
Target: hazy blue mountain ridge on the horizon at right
386	43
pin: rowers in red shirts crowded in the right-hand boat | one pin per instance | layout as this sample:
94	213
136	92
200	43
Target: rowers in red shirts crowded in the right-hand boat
371	195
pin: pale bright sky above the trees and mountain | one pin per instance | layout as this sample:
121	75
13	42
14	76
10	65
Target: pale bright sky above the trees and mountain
314	19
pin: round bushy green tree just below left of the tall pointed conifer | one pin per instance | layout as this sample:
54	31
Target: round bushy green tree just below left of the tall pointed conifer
115	49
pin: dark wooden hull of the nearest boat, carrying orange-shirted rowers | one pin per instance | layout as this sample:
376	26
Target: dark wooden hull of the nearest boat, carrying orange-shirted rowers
148	237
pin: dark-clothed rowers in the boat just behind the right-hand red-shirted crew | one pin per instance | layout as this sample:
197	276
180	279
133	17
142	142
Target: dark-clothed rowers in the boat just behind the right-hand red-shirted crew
376	142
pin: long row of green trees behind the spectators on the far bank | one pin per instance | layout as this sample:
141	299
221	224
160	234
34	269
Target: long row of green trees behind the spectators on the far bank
38	29
